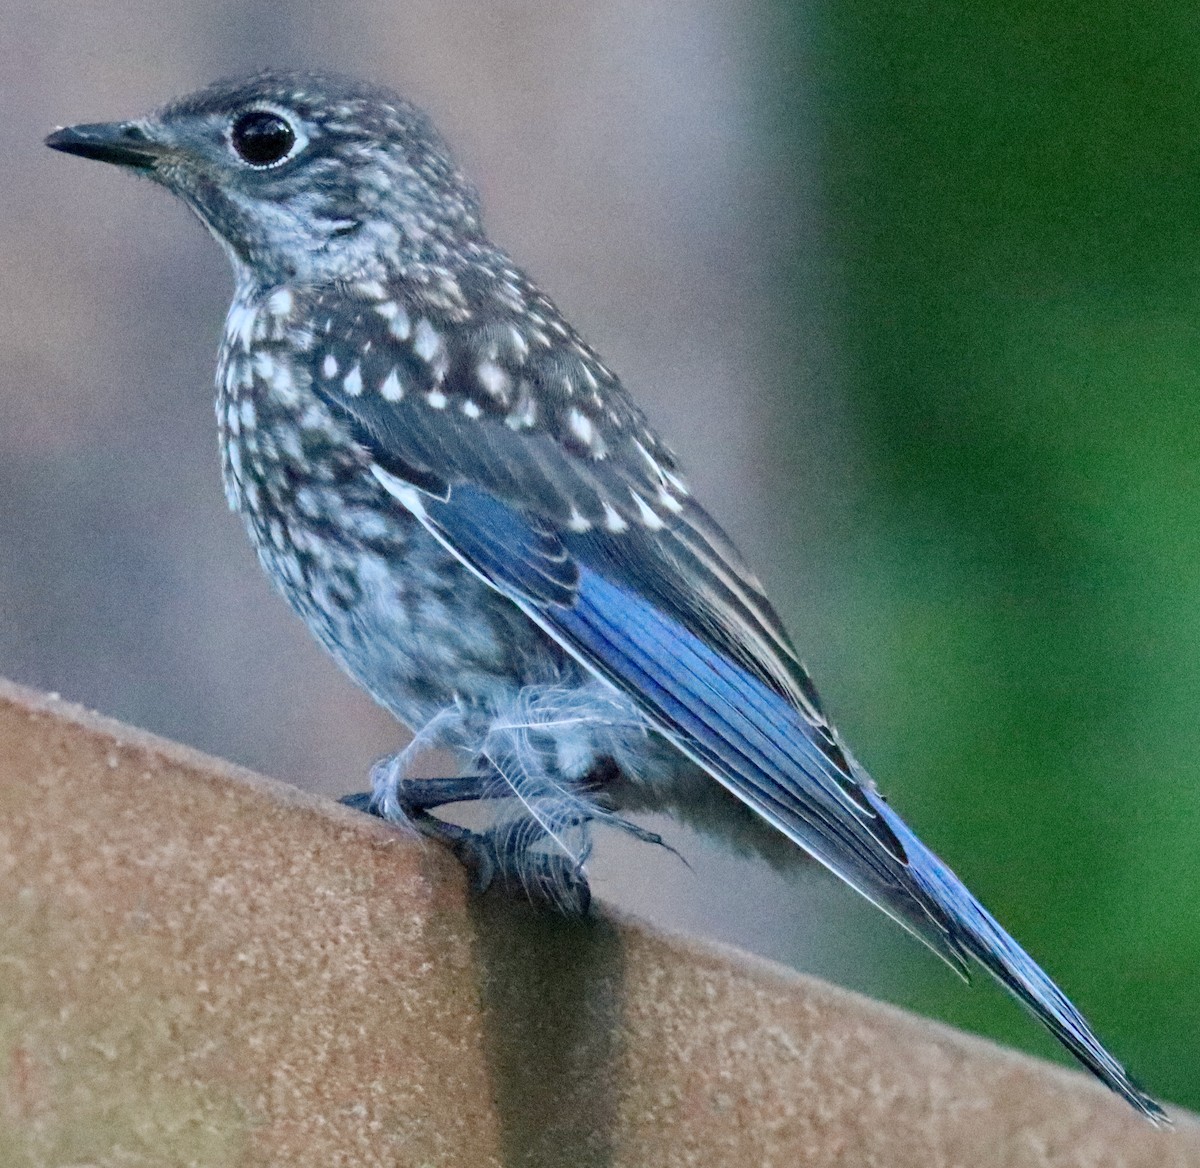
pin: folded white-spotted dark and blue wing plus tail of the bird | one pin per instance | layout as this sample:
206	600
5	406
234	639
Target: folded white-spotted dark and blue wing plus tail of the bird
559	496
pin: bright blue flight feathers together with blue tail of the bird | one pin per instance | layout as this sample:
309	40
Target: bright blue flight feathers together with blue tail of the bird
758	744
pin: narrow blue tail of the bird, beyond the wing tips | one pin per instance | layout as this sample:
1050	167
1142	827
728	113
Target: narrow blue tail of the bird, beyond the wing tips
979	933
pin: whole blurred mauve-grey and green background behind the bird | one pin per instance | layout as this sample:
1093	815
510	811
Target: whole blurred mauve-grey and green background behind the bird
915	290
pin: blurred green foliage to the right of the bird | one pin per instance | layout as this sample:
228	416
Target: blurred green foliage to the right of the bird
1013	193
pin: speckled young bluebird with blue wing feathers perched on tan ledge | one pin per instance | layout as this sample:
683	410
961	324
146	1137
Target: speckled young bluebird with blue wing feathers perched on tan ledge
476	519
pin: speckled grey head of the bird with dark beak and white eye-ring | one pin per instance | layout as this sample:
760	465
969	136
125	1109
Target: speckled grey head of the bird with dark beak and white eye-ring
302	177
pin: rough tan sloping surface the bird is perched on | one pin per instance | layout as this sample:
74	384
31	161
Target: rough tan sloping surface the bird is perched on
202	967
